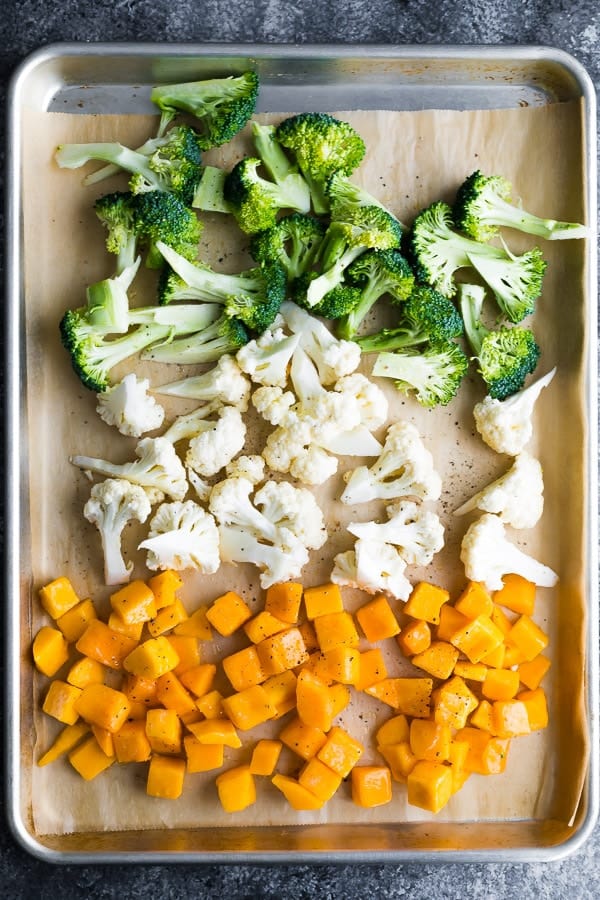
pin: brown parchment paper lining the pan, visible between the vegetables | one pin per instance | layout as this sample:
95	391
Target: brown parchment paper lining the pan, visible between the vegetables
413	159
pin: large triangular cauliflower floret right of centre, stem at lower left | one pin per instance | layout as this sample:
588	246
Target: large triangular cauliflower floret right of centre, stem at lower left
404	469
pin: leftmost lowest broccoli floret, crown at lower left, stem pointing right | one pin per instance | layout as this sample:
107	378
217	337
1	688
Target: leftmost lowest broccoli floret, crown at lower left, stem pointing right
93	355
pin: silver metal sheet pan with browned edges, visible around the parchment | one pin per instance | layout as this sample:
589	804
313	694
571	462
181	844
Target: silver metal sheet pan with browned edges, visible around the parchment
116	79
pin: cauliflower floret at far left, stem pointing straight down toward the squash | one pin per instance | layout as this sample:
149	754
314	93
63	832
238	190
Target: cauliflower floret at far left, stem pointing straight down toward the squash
112	504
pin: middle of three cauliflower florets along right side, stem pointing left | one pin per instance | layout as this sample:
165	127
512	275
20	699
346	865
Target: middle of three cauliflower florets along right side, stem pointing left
517	496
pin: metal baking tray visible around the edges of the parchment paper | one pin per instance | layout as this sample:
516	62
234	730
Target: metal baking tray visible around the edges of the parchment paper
103	78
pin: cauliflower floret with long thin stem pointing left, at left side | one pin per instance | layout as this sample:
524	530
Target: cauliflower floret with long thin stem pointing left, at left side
158	468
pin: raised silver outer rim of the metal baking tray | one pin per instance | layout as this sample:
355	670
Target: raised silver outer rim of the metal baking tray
13	402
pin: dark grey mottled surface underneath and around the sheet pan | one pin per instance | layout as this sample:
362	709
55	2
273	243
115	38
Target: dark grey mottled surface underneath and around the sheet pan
572	25
